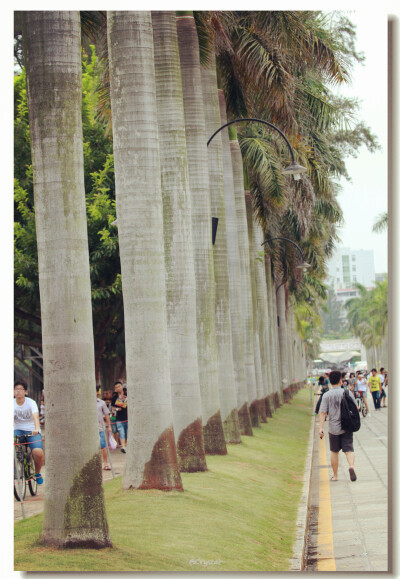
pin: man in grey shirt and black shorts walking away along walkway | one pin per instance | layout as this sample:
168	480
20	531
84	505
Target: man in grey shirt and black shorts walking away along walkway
338	438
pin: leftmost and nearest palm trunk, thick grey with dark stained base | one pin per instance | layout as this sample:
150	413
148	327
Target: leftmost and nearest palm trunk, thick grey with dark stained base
74	502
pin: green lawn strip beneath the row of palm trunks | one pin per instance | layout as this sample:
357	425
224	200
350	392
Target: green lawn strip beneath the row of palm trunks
239	516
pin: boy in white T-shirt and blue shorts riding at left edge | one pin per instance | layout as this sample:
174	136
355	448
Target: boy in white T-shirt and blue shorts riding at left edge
26	422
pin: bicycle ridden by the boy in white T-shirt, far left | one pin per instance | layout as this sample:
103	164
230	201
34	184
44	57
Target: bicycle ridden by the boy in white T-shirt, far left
24	468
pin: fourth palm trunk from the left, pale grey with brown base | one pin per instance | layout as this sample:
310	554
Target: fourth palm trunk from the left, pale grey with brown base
196	142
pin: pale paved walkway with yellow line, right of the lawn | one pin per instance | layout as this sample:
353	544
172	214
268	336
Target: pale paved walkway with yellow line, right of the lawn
348	521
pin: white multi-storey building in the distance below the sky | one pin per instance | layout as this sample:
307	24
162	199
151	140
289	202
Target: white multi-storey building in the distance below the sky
350	266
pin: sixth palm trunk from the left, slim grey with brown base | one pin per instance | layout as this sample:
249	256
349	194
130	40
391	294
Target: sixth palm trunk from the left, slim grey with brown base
236	286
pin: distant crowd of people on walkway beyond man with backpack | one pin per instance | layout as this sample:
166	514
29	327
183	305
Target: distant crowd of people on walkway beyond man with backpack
359	383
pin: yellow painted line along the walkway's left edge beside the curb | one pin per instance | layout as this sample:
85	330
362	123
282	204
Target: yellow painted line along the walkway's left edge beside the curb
325	552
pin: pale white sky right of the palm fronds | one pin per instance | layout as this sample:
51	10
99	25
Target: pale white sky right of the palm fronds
366	197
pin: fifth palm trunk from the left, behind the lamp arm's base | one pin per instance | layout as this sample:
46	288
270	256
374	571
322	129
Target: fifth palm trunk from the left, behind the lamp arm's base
226	377
